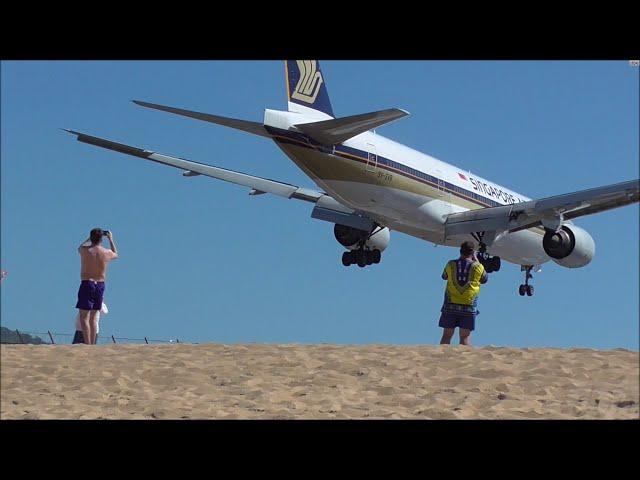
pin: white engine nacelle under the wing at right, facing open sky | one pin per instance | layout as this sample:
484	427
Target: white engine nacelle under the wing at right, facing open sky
571	246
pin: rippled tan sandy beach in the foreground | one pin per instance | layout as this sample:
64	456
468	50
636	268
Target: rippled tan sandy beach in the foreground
256	381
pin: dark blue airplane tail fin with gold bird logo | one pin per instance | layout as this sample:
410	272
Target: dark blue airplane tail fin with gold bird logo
306	89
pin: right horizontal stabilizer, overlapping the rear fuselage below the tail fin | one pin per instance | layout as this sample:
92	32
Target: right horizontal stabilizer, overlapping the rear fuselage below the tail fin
338	130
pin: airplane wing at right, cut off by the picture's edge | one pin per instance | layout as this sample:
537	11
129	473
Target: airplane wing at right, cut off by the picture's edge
549	212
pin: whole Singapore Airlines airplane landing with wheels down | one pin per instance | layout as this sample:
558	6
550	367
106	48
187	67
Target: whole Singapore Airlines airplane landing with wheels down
371	185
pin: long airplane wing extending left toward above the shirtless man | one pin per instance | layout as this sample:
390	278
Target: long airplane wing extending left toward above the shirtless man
327	208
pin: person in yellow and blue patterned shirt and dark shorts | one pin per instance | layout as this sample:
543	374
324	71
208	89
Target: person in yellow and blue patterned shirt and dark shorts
459	309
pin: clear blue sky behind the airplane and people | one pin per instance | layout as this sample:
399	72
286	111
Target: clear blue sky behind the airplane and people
203	261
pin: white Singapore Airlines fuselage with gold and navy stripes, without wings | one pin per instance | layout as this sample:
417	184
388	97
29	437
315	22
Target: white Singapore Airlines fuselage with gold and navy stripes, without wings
402	188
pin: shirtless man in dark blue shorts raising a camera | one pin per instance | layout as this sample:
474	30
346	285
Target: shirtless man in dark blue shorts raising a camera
93	260
